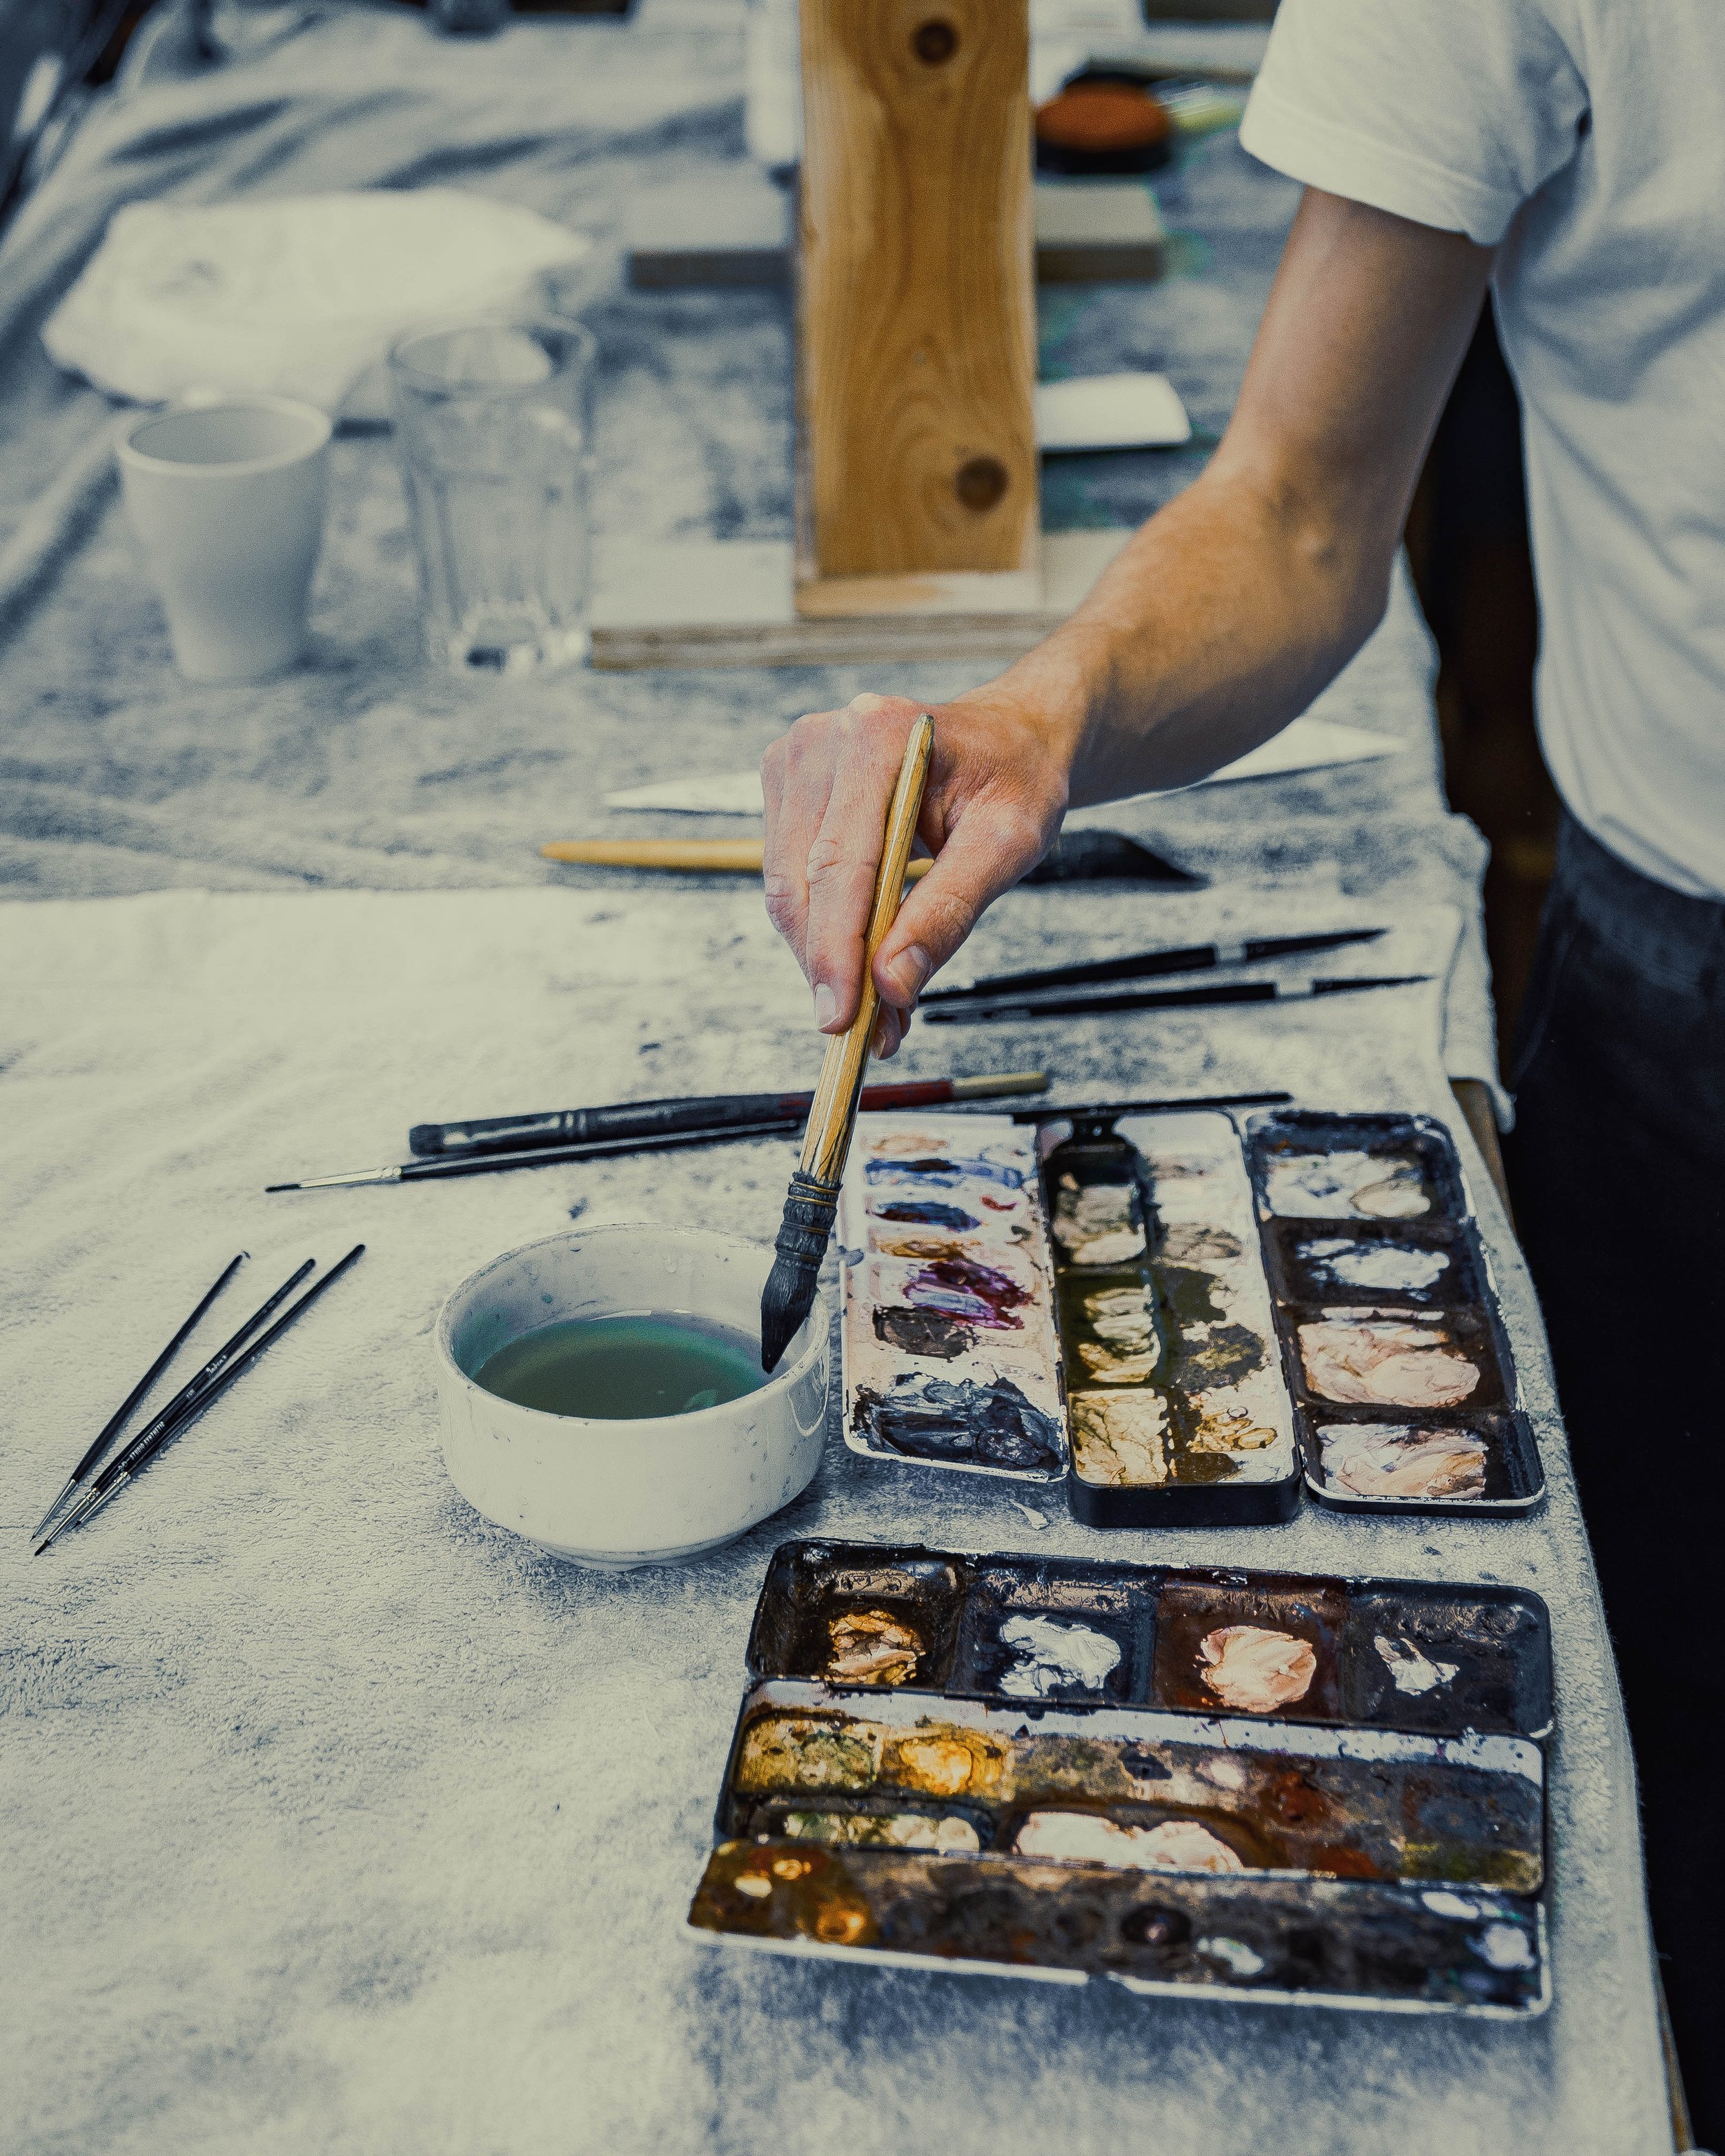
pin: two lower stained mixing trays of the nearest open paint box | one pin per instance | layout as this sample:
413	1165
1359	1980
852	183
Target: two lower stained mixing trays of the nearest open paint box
823	1786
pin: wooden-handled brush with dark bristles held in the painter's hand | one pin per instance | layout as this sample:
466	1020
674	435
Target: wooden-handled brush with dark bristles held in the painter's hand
814	1196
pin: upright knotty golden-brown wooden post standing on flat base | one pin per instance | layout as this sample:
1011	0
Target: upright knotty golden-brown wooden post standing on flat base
917	467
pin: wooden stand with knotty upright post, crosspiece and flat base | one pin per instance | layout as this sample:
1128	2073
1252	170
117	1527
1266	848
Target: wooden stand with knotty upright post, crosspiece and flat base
917	529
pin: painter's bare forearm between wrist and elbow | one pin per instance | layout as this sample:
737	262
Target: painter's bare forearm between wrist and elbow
1217	624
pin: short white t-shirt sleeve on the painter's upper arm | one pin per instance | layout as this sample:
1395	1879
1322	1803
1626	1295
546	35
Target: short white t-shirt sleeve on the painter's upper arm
1450	113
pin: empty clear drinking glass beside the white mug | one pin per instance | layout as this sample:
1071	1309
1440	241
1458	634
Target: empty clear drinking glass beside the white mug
495	430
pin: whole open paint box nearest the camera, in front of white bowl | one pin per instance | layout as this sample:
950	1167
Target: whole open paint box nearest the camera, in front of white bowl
1250	1784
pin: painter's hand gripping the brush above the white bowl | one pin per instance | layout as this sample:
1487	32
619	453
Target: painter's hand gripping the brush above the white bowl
993	807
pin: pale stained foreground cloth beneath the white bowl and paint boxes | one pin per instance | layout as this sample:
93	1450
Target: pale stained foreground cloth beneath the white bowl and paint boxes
342	1821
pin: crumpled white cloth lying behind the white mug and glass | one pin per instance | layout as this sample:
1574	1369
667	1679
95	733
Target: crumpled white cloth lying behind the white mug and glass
296	296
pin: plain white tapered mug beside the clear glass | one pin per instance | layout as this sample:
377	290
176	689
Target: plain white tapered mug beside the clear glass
227	499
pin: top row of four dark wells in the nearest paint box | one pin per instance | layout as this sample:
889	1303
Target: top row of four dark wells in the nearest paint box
1467	1657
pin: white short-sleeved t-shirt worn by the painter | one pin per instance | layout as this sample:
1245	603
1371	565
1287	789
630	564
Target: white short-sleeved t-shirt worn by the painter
1586	141
